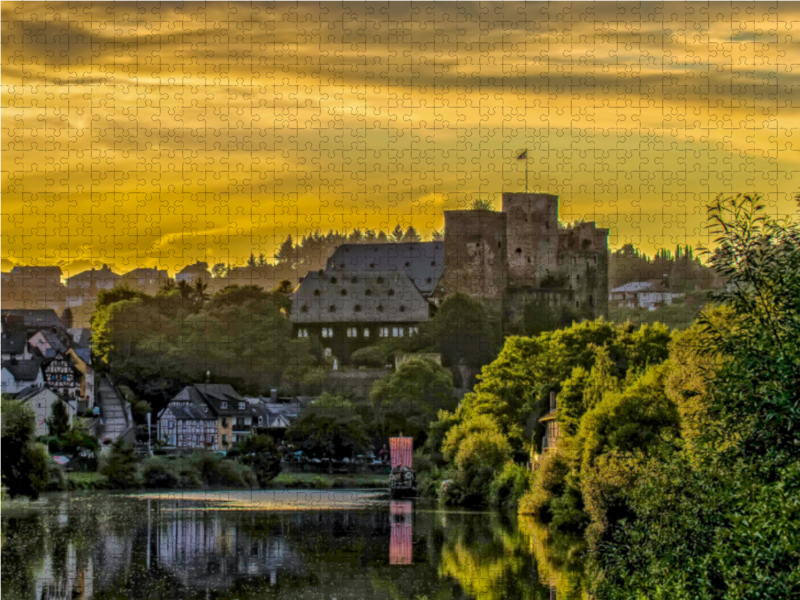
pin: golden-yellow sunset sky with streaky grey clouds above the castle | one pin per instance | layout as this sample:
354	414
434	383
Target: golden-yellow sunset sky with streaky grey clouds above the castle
138	134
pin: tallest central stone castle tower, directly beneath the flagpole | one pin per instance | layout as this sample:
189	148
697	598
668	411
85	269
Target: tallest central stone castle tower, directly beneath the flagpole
532	234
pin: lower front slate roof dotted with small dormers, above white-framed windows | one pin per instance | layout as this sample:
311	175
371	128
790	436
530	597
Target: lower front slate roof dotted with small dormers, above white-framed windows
358	296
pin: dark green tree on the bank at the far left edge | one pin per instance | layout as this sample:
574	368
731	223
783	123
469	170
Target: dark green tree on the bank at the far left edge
24	466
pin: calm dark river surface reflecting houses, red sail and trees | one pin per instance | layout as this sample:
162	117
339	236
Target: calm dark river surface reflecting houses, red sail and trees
285	544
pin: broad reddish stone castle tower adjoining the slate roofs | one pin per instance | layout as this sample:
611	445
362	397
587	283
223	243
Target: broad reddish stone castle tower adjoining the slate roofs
475	253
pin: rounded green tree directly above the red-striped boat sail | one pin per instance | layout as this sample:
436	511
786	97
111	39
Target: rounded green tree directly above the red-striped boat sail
408	400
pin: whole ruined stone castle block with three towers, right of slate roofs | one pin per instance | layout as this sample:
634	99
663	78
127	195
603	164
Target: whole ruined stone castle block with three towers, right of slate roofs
522	254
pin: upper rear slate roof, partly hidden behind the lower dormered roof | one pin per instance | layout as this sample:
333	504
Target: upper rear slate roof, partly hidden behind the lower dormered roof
423	262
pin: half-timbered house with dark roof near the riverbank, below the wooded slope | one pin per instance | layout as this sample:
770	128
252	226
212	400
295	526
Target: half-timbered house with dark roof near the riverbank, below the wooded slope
205	416
